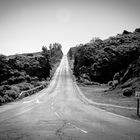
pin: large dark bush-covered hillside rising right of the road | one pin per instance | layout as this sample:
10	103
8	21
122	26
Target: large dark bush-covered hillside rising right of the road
114	61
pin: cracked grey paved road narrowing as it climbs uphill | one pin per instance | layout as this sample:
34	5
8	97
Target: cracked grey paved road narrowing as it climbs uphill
59	112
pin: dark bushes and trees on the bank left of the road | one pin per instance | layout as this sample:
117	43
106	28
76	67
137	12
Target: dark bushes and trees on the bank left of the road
25	71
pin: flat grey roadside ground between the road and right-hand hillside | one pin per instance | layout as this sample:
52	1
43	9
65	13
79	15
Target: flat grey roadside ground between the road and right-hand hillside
111	101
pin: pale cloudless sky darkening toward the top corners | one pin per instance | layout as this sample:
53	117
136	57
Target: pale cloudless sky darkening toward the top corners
27	25
